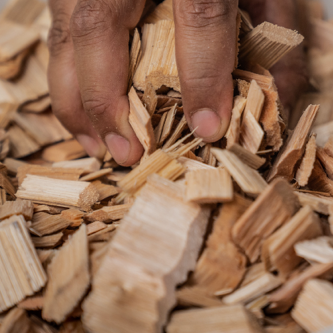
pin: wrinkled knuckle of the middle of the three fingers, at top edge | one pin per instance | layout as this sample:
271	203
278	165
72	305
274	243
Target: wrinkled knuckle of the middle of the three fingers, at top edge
93	17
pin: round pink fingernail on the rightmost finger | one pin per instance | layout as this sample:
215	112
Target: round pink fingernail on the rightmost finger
207	122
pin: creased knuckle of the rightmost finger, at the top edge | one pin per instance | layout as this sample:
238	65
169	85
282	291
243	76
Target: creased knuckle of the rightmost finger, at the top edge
200	13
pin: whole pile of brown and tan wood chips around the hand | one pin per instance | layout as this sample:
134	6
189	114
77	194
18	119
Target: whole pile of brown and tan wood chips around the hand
234	236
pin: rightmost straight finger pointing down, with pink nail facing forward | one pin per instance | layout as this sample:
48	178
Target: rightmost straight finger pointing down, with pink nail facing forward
206	51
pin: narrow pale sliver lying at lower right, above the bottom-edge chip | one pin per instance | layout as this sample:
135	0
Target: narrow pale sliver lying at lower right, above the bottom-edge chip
254	289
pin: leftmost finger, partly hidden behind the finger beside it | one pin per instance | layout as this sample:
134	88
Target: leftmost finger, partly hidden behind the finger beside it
64	89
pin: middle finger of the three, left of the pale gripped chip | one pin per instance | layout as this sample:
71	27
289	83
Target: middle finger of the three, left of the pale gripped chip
100	32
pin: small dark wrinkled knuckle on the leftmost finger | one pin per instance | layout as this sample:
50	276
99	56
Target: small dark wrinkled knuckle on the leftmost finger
59	34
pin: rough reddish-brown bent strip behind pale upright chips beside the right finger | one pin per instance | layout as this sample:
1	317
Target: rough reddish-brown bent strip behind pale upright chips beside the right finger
270	118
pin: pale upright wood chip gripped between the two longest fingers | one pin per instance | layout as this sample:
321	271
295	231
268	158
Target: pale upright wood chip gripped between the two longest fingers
158	62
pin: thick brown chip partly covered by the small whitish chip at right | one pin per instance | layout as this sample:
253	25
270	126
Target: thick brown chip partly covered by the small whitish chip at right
278	250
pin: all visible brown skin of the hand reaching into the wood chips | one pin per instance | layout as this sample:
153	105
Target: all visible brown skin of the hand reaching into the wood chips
89	66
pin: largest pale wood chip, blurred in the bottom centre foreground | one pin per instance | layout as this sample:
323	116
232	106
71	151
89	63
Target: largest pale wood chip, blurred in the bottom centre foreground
146	263
